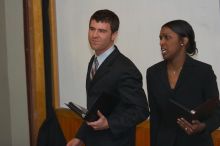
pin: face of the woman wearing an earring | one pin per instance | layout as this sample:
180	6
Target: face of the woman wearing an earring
171	44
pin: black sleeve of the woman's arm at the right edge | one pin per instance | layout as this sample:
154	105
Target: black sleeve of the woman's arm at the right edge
210	90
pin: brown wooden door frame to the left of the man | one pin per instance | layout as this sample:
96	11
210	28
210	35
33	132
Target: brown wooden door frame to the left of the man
34	56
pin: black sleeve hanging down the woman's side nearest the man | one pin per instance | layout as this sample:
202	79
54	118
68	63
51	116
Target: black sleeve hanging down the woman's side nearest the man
154	118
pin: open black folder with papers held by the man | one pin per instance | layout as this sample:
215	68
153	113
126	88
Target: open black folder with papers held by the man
105	103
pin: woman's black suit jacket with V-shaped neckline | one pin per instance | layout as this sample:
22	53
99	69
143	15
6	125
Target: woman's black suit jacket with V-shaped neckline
196	83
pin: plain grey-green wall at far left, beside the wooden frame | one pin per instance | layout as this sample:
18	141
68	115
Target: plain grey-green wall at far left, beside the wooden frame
13	102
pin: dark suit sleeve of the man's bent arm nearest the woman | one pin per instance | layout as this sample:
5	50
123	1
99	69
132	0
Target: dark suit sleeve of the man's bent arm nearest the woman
133	106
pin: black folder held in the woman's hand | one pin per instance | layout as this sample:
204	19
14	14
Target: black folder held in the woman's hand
201	112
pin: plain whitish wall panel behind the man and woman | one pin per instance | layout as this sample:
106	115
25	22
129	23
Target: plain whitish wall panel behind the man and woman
138	35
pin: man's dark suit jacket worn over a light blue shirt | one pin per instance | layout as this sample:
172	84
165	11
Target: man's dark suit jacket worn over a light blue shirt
118	76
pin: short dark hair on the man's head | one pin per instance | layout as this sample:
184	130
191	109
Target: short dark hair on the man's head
106	16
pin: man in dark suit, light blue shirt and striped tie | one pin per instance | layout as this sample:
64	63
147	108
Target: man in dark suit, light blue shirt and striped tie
110	71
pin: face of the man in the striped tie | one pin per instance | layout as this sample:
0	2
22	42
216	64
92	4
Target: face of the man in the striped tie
100	36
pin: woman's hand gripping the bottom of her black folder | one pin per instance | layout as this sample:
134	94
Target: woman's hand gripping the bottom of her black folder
191	128
